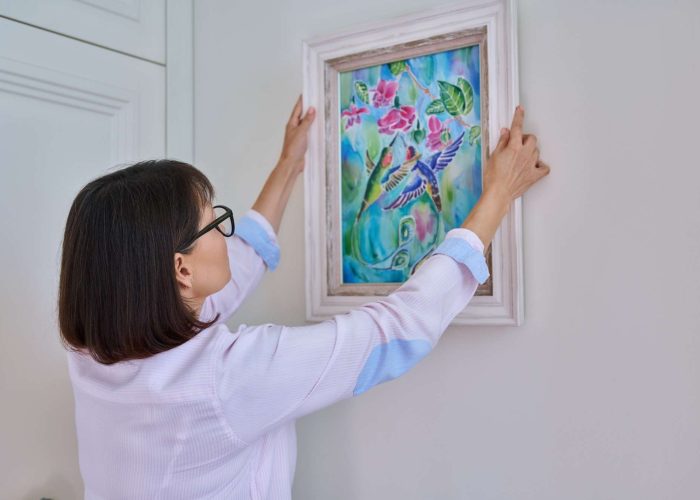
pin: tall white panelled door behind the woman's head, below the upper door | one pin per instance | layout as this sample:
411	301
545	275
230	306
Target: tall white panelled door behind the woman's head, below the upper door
68	111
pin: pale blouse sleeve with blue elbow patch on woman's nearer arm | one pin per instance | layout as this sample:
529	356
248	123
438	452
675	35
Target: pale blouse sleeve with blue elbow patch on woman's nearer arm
269	374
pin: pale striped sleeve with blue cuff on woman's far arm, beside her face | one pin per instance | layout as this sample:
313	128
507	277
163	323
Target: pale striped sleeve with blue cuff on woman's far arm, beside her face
252	249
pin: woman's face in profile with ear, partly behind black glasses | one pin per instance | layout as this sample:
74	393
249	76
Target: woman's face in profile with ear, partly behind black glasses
205	270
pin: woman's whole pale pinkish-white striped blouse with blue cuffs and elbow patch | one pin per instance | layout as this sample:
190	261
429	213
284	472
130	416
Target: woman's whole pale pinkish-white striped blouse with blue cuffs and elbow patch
214	417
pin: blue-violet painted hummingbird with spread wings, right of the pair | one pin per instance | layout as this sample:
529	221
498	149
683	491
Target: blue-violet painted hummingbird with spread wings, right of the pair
422	176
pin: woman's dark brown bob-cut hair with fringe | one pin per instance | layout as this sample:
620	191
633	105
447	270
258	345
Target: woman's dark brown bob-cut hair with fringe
118	297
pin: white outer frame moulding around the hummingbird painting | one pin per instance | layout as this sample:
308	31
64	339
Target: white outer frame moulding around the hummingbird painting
505	305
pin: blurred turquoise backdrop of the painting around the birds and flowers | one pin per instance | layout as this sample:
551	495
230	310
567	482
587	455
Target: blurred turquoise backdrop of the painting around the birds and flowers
459	184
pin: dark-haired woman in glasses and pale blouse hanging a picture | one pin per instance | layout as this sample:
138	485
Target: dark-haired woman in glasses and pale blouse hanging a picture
172	404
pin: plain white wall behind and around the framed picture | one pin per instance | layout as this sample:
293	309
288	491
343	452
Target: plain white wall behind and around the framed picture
598	394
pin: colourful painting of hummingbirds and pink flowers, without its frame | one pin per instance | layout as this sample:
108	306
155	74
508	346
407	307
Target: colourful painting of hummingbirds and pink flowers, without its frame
410	154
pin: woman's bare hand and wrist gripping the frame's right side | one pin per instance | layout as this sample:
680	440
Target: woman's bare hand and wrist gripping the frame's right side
513	167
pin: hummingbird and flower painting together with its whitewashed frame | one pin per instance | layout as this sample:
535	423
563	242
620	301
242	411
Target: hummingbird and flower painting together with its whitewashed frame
396	154
